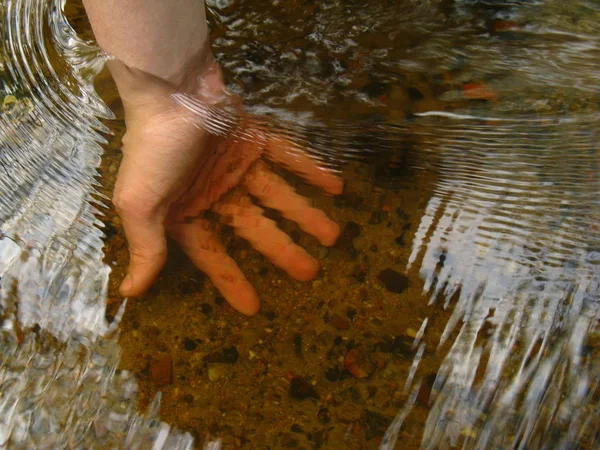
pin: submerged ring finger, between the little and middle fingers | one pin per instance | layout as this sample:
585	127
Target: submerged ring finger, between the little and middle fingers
275	193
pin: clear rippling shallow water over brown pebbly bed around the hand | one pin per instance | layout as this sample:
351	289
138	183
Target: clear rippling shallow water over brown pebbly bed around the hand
467	134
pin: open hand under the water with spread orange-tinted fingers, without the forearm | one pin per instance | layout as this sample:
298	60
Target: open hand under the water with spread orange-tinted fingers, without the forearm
173	171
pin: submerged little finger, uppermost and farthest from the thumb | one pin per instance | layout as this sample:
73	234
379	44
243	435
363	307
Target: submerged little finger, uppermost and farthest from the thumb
295	159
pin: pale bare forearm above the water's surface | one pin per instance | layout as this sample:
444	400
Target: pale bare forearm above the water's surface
160	37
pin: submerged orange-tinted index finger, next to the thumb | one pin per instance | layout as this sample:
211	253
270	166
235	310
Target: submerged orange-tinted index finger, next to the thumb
208	254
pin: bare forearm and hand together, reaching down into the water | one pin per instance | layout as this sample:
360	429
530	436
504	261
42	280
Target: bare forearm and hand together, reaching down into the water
173	171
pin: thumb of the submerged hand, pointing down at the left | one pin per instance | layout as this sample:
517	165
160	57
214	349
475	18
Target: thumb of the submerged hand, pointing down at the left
145	232
